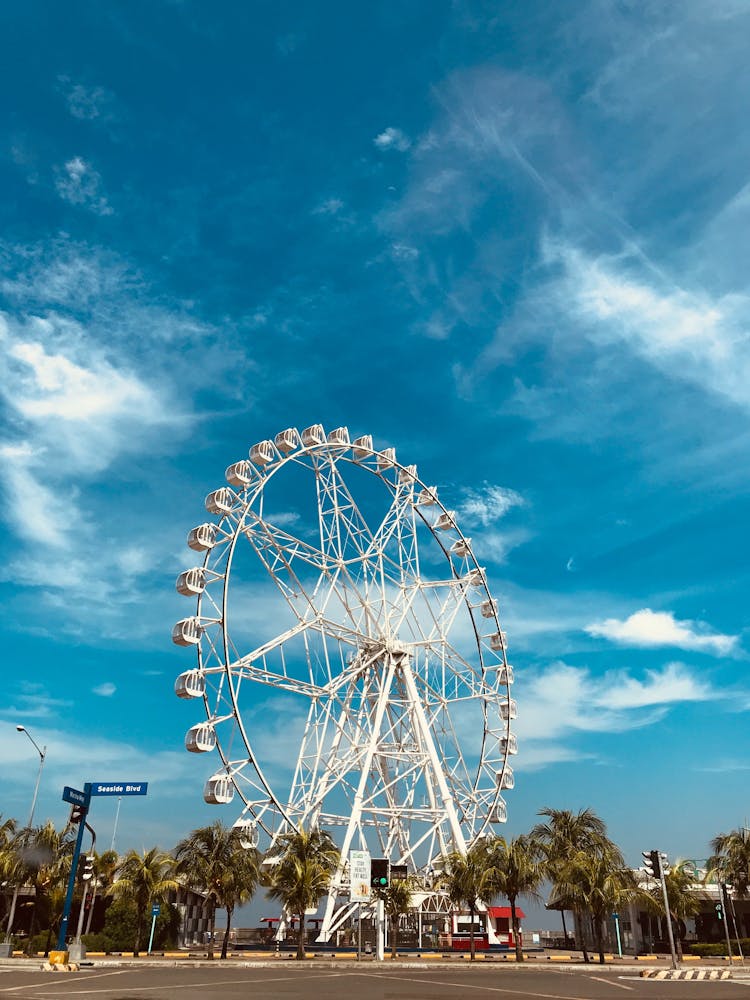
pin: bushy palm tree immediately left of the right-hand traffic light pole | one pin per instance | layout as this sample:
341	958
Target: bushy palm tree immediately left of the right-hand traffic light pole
596	882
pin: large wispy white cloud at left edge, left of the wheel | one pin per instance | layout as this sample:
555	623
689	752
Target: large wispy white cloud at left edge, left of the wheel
84	389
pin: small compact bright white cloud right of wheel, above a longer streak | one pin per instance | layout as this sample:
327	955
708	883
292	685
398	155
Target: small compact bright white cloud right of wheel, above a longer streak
661	628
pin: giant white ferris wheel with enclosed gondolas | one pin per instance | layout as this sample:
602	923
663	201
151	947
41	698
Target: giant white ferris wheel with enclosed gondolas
350	659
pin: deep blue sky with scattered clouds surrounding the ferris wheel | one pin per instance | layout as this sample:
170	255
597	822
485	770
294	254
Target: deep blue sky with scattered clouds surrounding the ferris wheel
508	239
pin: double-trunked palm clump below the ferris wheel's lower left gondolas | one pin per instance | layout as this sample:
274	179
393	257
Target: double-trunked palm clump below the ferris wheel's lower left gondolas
213	860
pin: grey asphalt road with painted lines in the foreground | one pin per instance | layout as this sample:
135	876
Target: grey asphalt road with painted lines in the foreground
289	982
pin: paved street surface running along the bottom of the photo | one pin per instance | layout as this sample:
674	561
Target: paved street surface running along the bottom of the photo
121	978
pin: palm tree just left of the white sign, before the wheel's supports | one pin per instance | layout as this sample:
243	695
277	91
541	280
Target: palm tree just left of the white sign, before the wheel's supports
300	877
